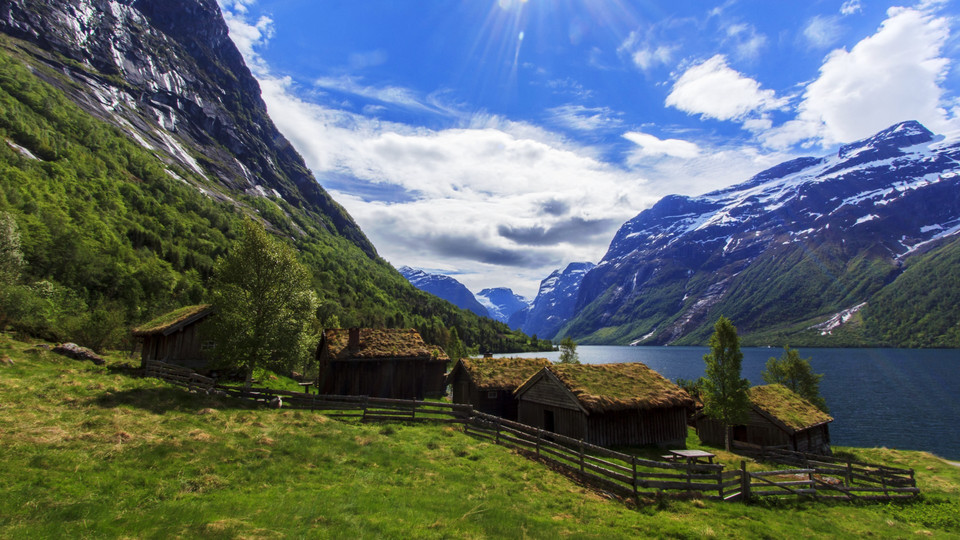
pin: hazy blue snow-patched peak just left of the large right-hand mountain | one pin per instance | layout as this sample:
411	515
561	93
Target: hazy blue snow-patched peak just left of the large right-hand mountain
554	304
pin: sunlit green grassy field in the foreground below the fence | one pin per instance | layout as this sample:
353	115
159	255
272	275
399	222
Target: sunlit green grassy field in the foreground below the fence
94	451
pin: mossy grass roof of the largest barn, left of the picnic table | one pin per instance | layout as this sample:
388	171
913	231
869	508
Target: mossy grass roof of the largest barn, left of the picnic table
613	387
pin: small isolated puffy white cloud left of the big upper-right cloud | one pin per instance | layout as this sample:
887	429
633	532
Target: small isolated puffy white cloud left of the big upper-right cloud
713	90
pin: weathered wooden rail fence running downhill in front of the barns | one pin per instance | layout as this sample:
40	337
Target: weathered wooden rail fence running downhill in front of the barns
622	474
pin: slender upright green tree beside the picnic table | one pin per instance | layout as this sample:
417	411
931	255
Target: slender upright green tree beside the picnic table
724	392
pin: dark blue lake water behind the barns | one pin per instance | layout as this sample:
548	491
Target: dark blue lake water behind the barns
898	398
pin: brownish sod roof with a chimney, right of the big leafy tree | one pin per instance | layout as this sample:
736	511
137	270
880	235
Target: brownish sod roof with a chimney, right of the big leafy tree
378	343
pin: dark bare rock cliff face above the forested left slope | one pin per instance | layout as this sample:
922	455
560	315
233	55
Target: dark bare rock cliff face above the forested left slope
167	73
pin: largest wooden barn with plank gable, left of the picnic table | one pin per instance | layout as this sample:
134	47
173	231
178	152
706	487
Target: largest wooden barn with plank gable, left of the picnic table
606	404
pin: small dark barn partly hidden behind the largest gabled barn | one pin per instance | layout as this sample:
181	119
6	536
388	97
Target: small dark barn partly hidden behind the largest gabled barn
488	383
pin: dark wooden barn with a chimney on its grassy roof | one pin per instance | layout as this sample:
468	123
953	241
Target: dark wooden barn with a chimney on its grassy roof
380	362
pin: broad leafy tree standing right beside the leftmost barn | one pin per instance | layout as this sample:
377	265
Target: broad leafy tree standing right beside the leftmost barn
264	305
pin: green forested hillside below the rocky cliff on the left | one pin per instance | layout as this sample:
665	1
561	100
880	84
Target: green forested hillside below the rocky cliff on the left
111	235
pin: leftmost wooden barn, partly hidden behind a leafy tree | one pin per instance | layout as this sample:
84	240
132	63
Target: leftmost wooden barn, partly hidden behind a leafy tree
175	338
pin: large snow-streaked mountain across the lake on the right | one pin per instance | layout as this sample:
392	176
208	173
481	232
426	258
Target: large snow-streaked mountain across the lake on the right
804	240
